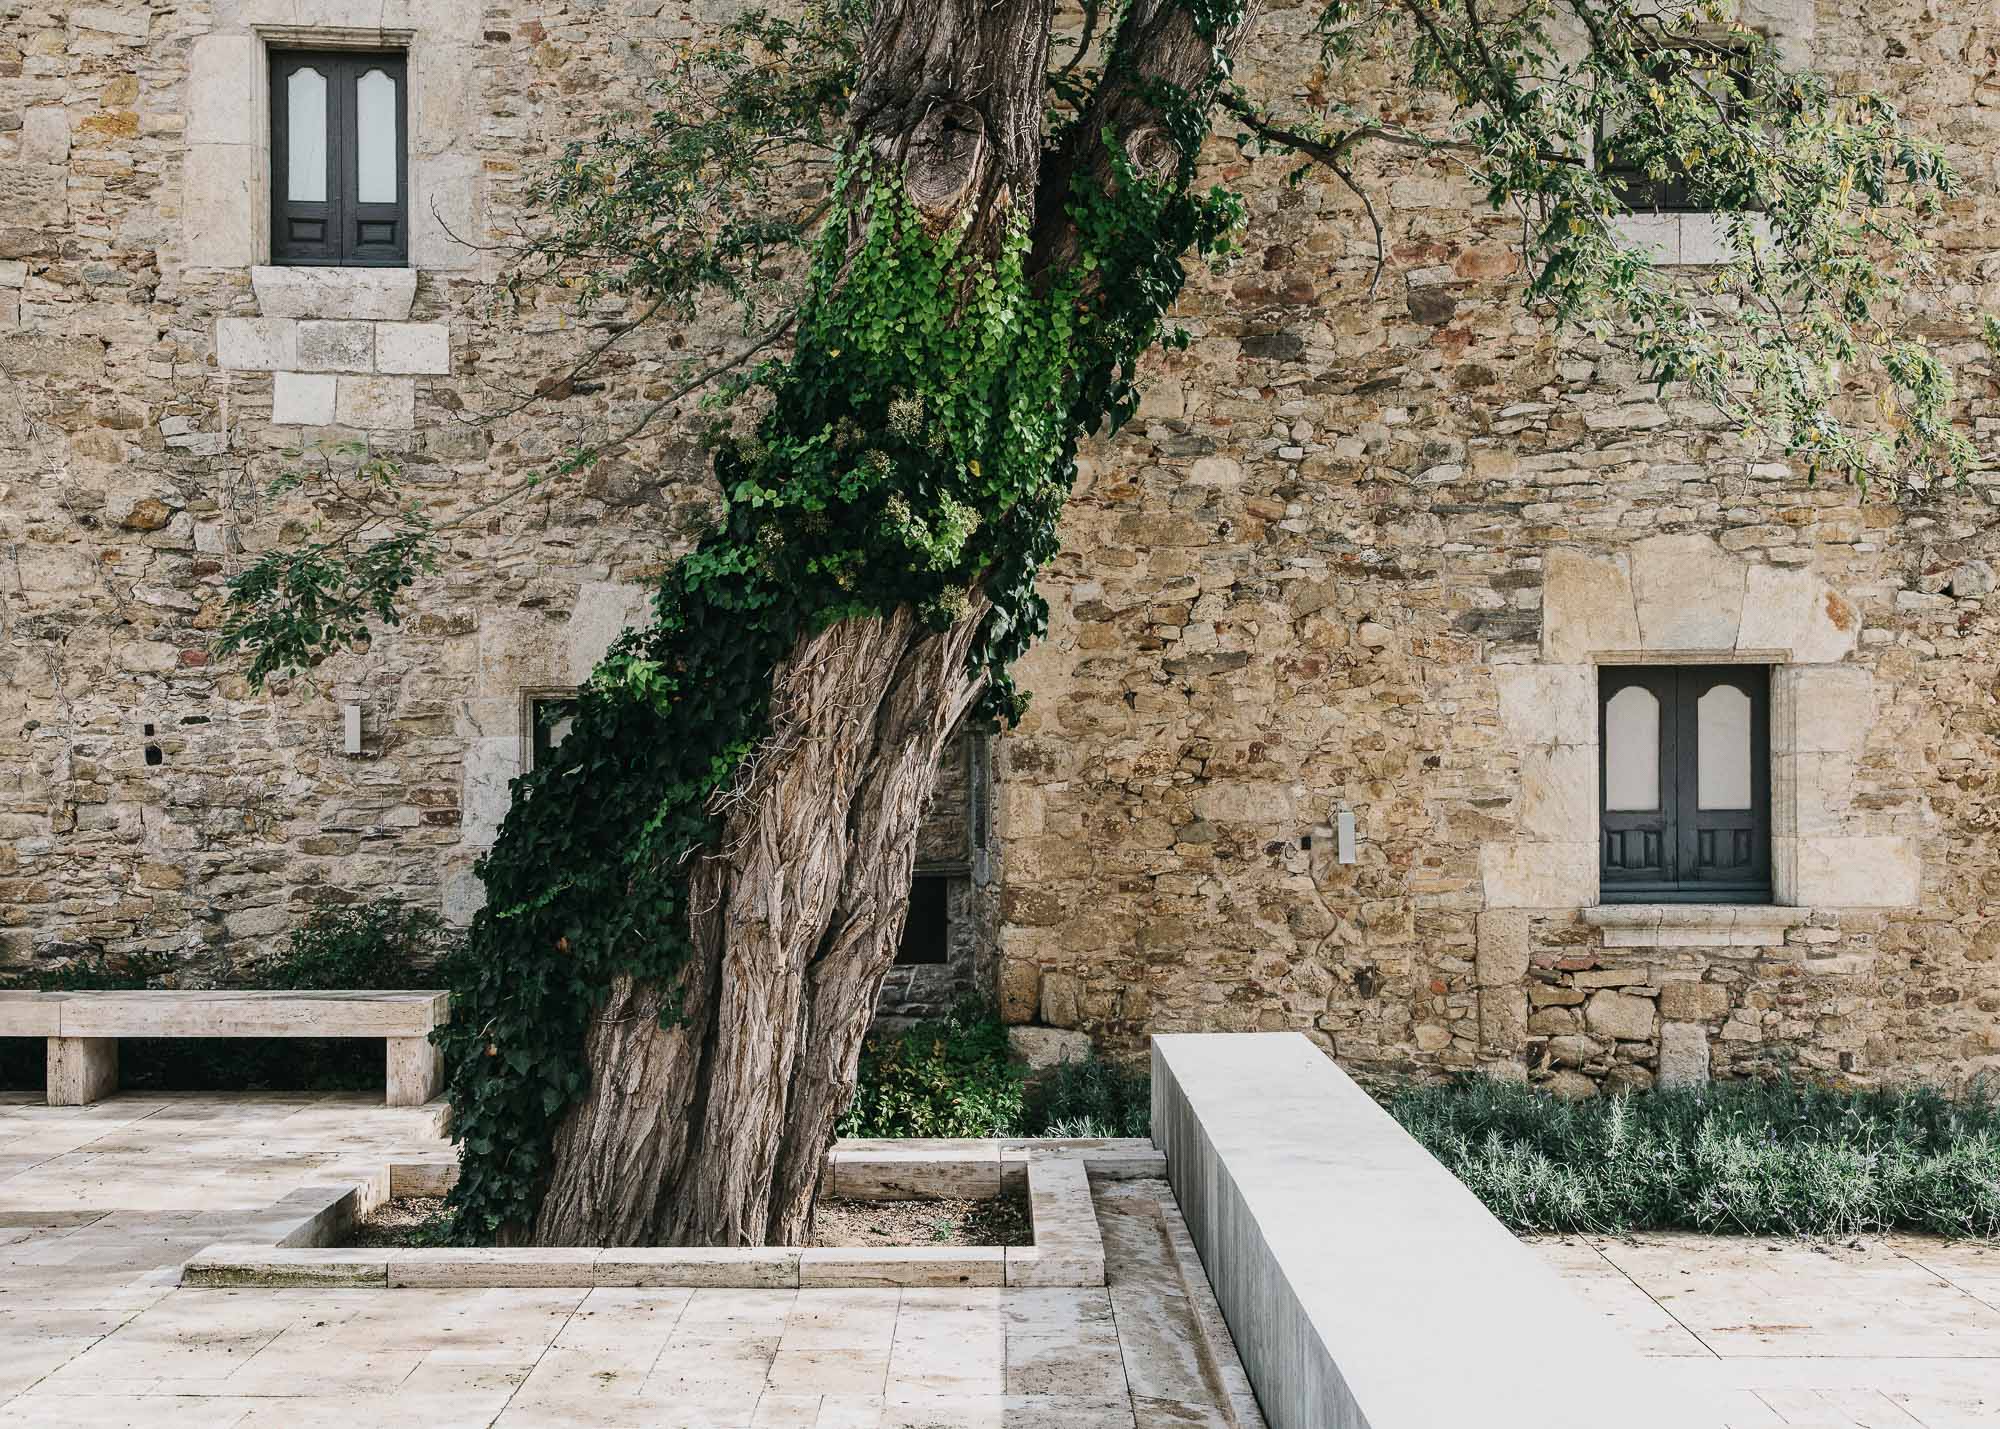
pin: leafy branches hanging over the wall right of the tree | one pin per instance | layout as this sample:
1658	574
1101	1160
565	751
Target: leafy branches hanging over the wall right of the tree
1561	109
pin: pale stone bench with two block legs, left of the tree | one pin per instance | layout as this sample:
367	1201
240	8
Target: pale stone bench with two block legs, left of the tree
83	1030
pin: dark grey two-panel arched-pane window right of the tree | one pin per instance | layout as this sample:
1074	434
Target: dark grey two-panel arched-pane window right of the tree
1685	784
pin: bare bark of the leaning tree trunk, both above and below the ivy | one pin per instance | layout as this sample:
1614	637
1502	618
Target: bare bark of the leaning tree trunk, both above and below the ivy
713	1132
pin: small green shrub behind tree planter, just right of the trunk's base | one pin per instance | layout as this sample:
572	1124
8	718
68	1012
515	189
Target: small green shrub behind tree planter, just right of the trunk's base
947	1078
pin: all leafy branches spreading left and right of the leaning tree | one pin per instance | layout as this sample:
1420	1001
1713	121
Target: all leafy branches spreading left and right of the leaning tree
713	201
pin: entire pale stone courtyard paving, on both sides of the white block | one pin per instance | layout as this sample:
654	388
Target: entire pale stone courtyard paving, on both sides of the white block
101	1204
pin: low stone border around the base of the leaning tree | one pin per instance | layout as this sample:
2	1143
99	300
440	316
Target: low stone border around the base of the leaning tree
311	1230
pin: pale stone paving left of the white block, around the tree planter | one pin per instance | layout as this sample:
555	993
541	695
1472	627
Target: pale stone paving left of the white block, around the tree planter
111	1200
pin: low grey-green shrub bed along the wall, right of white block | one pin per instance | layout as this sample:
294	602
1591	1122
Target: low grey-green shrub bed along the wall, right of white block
1731	1158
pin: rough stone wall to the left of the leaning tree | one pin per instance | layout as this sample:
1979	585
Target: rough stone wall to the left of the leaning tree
141	427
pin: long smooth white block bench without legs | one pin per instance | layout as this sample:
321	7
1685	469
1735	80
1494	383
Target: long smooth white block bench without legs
1365	1286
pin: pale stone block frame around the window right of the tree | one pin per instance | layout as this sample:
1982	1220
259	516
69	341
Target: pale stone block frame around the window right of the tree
1671	601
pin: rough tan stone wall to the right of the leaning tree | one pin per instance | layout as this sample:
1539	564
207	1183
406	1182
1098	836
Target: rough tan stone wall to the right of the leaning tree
1361	551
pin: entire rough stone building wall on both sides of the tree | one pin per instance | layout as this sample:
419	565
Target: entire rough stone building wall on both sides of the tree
1365	549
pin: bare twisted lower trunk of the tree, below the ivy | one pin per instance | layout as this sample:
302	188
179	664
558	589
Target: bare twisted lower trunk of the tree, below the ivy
713	1132
